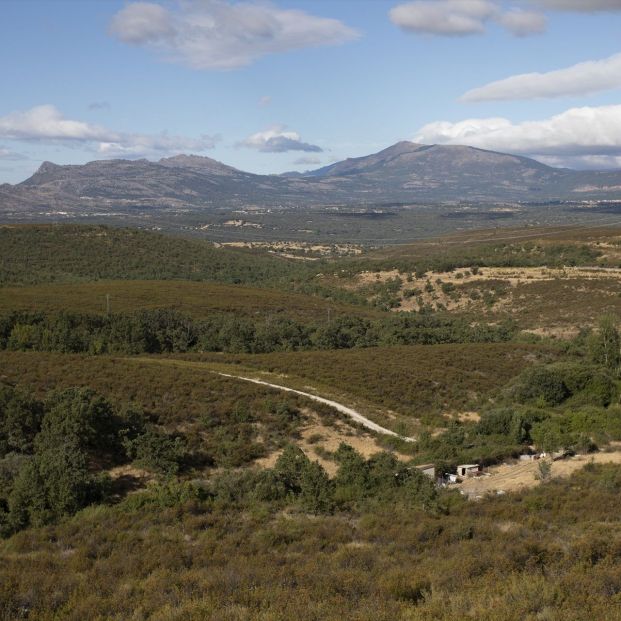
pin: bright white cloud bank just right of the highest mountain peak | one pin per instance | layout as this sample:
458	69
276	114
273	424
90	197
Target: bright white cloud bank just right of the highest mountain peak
577	132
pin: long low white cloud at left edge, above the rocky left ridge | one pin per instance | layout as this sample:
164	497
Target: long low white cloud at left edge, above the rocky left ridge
47	124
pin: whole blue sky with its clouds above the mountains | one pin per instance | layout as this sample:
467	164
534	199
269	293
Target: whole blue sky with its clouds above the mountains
269	87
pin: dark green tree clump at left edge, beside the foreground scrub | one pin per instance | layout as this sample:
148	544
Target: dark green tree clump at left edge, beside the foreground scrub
53	453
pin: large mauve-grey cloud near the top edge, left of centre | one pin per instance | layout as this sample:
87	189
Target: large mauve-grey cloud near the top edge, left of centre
218	34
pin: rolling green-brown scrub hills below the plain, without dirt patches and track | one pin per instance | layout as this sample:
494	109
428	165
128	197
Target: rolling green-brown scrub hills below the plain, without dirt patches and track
204	531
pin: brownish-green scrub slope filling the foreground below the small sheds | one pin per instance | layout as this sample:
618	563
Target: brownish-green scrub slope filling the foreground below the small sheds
183	552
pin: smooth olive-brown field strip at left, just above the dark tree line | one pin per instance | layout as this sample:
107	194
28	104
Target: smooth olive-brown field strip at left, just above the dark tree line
198	299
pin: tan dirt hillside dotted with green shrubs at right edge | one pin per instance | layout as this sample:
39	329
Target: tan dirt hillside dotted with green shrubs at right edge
537	297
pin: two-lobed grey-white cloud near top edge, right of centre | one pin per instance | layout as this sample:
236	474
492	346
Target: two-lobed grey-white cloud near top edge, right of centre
463	17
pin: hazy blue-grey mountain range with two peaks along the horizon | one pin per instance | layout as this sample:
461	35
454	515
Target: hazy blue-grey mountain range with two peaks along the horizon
404	173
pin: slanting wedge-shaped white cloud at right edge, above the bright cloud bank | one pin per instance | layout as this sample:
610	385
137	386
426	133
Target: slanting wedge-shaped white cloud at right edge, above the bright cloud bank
581	79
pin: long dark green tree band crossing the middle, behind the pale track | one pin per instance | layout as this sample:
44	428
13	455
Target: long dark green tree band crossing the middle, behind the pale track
170	331
